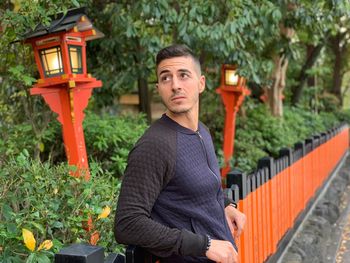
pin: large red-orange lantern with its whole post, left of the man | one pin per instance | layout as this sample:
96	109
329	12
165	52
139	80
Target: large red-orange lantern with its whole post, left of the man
64	83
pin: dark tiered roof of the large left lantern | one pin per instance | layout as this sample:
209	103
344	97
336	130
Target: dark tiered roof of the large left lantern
64	22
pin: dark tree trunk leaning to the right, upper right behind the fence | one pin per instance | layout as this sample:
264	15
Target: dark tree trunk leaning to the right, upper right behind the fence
310	61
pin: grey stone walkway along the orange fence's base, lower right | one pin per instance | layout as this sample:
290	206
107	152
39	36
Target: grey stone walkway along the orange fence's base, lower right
324	235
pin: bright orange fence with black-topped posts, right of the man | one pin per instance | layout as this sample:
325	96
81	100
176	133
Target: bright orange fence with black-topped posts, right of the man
276	195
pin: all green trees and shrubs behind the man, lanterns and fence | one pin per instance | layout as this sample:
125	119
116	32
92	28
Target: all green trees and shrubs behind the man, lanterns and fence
244	32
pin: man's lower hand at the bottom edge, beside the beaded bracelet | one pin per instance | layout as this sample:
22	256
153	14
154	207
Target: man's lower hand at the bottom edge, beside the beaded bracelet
222	251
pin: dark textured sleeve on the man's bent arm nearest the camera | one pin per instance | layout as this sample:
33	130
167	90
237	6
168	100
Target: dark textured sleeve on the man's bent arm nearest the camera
147	173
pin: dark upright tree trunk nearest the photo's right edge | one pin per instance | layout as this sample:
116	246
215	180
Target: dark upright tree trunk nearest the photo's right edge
339	52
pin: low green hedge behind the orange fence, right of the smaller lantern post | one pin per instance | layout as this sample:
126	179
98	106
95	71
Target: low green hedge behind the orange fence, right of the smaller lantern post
258	134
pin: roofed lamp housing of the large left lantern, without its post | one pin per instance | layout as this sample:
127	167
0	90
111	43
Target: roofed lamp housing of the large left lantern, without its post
60	49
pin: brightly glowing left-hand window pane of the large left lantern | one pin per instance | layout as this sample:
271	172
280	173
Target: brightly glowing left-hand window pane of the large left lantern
51	59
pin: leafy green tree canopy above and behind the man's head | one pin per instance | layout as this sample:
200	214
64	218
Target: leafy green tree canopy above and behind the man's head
219	31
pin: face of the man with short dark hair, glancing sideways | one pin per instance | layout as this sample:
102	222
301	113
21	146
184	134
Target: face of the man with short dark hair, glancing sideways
179	84
